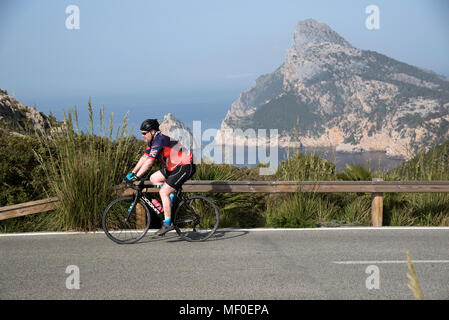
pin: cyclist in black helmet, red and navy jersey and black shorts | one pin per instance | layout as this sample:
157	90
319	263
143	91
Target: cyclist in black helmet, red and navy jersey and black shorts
177	164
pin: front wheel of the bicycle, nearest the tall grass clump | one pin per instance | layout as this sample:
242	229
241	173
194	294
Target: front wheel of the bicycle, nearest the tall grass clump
123	226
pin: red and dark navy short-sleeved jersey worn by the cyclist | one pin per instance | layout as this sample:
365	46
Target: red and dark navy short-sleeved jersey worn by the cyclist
170	152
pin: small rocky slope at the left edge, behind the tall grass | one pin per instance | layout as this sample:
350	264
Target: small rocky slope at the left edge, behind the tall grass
21	119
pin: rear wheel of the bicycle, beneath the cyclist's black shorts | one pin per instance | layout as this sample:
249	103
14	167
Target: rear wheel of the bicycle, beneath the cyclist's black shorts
196	218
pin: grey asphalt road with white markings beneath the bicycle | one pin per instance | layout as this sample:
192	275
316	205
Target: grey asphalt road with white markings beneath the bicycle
355	263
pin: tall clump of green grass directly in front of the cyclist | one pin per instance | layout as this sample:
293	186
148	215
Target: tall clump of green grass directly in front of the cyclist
84	168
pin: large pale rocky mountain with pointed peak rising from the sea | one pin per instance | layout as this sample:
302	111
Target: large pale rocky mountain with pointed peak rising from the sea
329	93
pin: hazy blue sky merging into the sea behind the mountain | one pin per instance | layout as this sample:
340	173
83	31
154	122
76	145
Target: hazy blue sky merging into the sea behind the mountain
196	55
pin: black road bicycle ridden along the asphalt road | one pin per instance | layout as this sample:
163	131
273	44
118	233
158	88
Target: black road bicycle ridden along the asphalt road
127	219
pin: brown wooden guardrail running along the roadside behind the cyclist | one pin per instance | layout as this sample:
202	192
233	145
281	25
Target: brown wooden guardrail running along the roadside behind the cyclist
376	187
